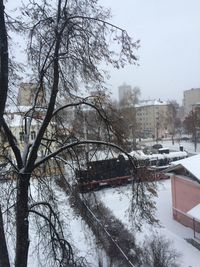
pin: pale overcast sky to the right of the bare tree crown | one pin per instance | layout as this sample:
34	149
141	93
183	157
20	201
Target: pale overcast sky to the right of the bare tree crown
169	31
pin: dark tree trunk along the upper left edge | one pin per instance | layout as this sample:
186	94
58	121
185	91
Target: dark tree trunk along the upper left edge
3	61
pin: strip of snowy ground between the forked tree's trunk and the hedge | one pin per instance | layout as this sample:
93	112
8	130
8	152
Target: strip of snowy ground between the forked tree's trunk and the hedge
76	232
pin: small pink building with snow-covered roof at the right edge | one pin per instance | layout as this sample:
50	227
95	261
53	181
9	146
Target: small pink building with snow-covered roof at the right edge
185	178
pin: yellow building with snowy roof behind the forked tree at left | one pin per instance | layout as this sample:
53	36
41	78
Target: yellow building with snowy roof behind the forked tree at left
25	129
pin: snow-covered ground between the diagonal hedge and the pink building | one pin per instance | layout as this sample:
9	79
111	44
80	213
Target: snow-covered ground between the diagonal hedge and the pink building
171	229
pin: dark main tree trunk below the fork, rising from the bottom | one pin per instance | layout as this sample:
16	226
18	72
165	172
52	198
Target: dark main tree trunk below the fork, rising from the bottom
22	227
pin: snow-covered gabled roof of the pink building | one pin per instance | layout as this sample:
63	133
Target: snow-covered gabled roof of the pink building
191	164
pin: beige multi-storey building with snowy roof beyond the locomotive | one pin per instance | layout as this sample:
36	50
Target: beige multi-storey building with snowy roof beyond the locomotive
153	119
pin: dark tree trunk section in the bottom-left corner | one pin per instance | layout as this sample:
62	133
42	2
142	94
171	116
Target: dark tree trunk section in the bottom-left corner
4	259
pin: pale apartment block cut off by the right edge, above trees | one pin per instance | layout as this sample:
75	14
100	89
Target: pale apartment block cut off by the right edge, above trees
190	98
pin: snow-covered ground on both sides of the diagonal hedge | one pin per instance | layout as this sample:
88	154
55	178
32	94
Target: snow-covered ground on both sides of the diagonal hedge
118	200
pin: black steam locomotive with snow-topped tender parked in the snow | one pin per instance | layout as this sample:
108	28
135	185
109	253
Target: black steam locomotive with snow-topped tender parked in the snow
120	171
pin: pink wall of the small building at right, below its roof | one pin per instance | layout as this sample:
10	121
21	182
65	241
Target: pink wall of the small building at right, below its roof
185	196
